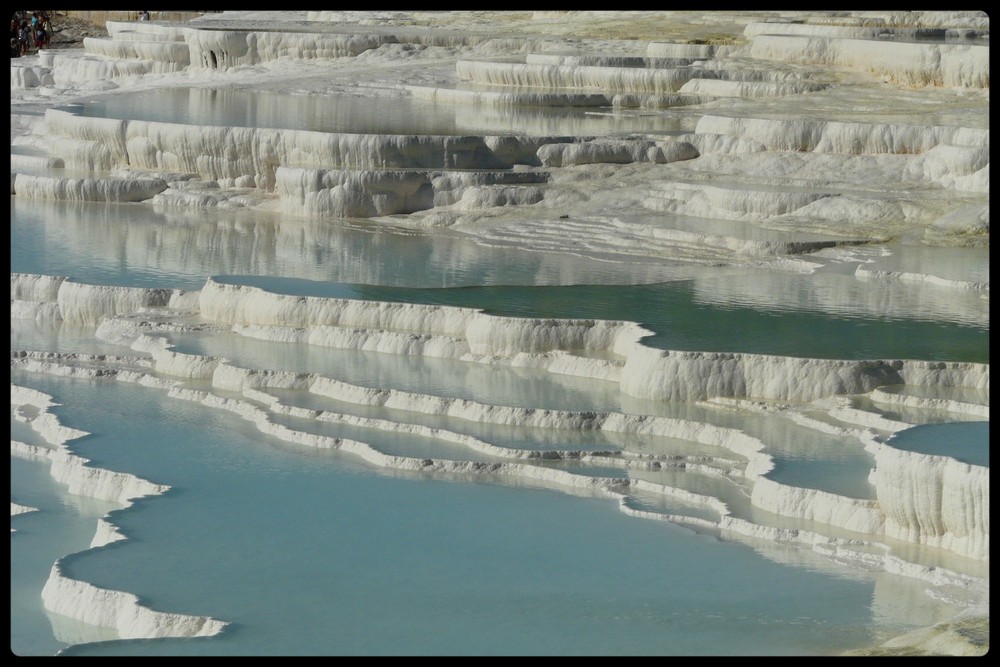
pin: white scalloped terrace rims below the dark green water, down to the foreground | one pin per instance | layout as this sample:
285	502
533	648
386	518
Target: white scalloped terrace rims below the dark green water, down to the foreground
905	510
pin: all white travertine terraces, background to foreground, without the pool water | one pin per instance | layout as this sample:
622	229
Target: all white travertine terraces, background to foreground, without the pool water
805	143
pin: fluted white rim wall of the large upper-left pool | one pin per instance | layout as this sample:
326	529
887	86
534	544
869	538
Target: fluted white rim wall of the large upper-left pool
233	153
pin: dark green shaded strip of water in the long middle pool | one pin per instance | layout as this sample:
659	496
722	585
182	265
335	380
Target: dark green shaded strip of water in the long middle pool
678	319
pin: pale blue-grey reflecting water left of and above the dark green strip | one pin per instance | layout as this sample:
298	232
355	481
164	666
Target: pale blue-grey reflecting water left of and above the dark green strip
133	245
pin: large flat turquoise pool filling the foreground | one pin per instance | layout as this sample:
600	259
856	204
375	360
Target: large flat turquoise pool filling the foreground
311	553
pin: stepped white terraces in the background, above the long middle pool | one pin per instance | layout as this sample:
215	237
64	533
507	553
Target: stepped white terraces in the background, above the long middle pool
442	179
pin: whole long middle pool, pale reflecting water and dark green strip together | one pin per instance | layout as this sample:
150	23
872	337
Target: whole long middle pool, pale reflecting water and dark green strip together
829	314
